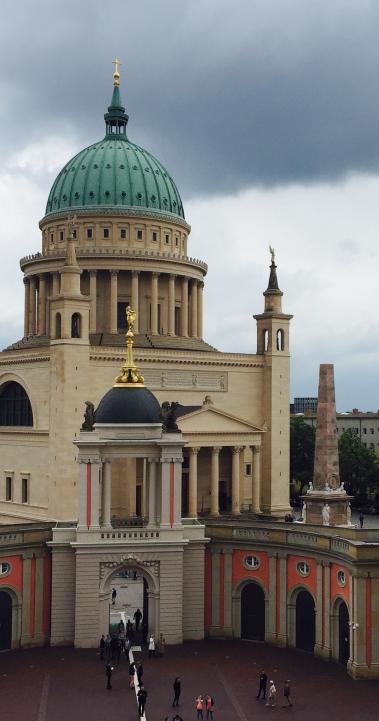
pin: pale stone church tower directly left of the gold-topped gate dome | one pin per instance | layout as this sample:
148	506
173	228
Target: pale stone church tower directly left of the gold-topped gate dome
69	379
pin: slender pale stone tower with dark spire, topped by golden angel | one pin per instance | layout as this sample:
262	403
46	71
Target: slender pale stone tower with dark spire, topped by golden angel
273	345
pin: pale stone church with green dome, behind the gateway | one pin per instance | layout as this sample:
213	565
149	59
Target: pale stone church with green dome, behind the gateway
130	246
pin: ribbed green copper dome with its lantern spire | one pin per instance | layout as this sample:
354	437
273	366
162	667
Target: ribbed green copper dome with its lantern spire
114	173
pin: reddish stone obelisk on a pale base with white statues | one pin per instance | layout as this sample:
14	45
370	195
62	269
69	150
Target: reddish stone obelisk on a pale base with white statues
326	501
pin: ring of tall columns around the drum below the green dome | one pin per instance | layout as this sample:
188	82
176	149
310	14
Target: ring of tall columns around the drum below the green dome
39	288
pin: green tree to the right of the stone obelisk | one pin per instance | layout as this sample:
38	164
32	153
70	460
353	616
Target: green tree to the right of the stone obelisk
359	467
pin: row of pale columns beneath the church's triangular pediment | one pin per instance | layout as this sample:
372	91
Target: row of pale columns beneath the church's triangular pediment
236	490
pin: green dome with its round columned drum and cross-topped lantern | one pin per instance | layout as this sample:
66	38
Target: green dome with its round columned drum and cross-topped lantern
131	246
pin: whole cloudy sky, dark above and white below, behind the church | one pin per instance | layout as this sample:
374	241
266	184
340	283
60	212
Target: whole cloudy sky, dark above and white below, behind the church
266	114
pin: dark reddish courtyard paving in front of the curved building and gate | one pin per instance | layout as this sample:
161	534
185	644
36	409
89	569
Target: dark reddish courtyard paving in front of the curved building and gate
64	684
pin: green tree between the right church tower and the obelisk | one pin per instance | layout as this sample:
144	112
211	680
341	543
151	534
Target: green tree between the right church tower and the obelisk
302	451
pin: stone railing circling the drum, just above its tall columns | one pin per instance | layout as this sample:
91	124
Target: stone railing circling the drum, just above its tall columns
112	251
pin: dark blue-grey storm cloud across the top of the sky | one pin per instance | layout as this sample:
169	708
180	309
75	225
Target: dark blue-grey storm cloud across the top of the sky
227	95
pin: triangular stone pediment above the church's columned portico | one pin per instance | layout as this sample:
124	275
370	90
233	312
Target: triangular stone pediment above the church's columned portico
210	419
